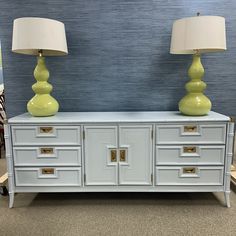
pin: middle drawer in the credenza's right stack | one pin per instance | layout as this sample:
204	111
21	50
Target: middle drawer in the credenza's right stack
190	155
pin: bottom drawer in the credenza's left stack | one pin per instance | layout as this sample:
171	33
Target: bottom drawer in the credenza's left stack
48	176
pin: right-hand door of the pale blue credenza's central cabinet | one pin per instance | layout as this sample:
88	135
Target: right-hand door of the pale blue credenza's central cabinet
135	157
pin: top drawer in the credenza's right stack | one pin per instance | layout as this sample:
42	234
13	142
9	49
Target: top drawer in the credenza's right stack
191	134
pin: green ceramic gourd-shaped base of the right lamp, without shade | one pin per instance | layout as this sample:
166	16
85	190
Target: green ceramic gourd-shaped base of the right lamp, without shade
195	103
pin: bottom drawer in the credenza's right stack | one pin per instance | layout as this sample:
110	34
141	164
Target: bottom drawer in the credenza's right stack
189	175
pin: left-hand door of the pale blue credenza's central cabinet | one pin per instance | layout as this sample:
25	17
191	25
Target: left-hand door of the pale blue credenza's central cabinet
100	142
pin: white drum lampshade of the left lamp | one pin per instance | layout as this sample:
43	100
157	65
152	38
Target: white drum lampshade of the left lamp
31	34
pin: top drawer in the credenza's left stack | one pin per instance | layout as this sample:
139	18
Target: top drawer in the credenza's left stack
46	135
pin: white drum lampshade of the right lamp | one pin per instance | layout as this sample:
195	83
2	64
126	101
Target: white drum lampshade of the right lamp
202	33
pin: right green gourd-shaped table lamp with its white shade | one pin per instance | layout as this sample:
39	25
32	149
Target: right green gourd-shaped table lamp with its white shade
197	35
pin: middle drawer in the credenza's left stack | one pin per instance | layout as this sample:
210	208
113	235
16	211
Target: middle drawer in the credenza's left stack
47	156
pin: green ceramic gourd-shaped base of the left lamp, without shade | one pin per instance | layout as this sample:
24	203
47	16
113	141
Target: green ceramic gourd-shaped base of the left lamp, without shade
42	104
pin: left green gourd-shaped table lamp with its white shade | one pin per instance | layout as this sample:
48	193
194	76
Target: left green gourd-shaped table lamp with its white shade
41	37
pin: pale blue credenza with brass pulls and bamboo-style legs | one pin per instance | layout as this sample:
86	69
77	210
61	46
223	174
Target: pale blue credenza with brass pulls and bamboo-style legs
119	152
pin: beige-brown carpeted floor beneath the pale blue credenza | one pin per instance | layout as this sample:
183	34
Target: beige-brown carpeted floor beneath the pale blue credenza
118	214
